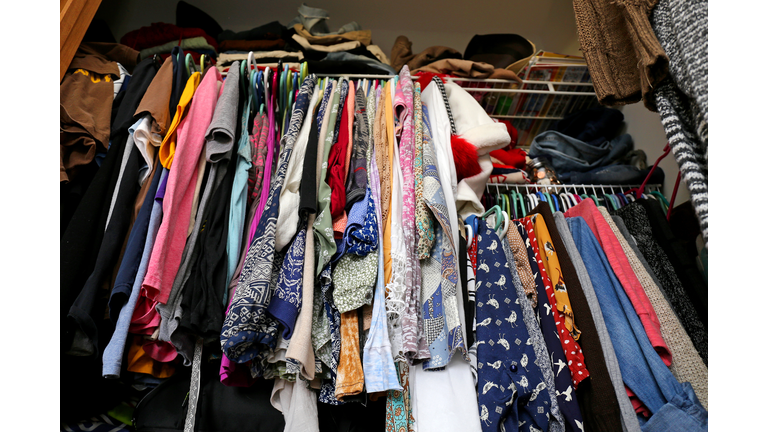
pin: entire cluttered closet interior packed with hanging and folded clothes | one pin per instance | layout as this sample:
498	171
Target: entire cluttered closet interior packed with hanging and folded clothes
346	217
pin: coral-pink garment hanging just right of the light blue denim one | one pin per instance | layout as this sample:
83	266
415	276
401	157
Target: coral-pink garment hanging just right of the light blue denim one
623	270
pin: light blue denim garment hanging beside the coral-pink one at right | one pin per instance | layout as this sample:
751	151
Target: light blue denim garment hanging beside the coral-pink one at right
674	406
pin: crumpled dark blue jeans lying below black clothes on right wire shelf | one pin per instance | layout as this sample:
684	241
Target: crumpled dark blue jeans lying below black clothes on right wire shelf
569	154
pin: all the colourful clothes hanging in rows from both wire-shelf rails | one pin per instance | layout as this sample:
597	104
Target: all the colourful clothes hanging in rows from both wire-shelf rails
331	246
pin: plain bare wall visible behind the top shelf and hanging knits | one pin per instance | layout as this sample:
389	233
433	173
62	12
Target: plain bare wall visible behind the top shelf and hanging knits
549	24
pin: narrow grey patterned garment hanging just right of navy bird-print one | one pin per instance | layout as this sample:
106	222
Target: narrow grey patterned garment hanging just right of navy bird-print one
556	423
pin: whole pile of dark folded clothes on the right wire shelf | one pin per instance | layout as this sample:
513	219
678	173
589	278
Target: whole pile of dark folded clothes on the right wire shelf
587	147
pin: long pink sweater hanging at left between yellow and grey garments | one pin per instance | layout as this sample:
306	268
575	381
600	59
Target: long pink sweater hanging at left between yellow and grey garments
177	204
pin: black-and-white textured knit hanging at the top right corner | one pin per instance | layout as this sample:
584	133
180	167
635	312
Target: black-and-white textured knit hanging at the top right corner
682	98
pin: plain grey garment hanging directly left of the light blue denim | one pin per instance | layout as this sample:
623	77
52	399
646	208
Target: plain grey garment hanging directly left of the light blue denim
628	416
